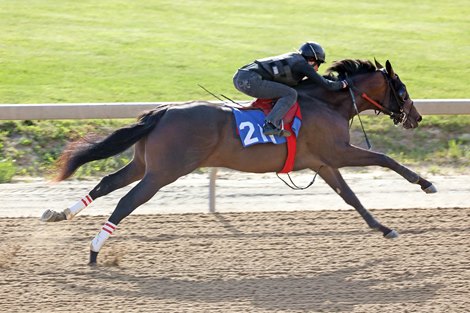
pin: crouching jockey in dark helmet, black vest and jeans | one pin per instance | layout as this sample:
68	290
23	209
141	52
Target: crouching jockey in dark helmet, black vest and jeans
274	77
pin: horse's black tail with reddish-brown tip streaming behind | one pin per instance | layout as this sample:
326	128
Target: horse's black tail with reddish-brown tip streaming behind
84	150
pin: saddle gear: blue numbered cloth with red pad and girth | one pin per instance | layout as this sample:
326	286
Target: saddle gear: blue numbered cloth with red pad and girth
250	121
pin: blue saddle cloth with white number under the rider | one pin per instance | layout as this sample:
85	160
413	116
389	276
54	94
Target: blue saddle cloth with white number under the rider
250	127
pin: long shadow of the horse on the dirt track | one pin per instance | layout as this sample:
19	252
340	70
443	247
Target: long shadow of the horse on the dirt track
335	290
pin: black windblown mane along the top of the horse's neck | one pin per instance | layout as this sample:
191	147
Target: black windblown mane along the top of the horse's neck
349	67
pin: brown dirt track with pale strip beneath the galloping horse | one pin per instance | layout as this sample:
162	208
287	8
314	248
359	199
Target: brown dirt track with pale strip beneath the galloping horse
303	259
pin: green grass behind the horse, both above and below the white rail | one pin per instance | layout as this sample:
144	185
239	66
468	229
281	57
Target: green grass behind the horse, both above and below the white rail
113	51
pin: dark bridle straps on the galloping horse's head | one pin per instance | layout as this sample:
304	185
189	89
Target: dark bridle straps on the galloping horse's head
399	117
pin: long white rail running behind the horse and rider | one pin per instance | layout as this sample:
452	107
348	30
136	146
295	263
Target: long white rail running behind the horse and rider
49	111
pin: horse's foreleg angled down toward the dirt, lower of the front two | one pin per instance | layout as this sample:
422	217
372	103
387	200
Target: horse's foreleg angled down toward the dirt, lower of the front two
334	179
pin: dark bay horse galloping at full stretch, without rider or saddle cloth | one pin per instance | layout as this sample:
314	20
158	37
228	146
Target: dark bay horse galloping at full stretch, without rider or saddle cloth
172	141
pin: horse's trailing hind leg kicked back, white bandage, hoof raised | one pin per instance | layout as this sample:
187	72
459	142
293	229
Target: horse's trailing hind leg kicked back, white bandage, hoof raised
130	173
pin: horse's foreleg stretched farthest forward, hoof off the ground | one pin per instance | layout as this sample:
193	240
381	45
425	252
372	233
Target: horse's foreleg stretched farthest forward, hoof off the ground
354	156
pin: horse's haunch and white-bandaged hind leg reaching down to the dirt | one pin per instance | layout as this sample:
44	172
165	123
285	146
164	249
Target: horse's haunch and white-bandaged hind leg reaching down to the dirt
182	142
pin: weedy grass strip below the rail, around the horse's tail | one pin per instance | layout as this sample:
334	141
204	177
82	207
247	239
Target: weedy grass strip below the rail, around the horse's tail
34	146
